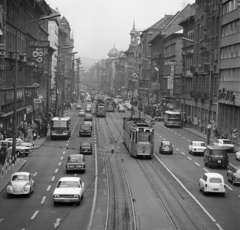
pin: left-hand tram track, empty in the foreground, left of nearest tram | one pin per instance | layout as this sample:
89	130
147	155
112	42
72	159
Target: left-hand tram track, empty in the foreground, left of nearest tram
120	214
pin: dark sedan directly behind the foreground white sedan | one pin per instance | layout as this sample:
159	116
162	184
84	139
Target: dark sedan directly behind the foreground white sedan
76	162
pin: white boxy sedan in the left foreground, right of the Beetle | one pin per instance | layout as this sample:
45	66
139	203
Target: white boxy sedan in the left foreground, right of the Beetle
69	189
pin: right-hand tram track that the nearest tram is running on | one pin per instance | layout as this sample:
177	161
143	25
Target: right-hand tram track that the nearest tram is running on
180	215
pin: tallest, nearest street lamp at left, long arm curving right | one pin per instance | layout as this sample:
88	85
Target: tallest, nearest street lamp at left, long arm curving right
14	123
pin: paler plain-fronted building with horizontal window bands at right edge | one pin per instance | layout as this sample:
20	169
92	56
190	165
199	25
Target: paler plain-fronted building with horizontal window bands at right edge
229	83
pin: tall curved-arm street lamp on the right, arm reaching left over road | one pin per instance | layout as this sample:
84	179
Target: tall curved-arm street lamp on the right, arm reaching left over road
208	54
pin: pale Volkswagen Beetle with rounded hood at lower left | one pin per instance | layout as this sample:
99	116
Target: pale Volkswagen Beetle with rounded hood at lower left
21	183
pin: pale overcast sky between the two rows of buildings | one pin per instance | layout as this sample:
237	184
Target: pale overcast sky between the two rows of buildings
99	25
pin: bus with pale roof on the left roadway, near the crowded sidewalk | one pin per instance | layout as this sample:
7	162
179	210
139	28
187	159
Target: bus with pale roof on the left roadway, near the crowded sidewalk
60	127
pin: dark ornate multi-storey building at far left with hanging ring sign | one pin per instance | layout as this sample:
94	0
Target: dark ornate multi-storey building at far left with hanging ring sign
31	71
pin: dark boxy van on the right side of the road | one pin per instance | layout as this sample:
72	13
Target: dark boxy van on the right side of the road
216	156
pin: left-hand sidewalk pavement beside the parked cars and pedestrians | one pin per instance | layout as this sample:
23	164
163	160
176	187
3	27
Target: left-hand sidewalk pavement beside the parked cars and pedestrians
8	170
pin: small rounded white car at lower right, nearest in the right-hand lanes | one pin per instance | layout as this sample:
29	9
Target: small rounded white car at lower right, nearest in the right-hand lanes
212	182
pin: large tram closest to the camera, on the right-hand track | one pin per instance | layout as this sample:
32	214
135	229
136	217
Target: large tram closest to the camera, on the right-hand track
138	136
